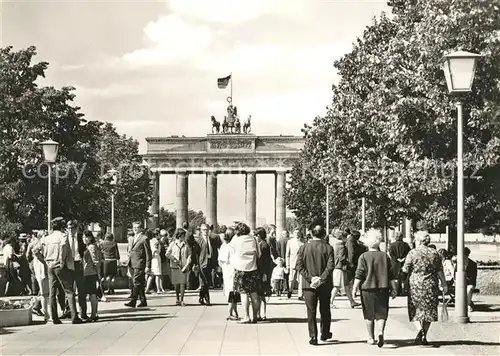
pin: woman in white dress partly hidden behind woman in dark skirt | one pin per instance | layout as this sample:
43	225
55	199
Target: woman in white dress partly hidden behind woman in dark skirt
225	254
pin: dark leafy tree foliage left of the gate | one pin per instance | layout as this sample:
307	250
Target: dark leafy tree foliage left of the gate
30	114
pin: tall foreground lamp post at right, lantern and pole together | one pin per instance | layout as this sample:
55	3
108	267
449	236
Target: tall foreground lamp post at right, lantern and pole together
459	68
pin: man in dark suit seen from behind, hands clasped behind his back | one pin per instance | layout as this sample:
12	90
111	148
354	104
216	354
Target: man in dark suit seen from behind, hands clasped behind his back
315	263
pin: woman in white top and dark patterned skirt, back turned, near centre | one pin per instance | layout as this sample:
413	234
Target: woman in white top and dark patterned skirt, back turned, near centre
246	275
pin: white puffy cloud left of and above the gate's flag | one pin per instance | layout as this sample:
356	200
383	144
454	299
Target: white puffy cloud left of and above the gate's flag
171	39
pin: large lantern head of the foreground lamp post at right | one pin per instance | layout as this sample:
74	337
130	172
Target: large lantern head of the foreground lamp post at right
459	69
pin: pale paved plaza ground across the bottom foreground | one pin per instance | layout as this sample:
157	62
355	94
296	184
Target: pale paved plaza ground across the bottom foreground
165	329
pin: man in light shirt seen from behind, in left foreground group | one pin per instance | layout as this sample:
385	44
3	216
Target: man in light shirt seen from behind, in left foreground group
57	255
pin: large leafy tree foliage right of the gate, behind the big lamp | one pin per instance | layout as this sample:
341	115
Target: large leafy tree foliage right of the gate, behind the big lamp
390	133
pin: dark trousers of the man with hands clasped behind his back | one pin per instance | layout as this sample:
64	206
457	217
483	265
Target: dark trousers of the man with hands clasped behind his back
312	296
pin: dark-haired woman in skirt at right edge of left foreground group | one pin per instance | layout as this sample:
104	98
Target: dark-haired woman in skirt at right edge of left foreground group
92	258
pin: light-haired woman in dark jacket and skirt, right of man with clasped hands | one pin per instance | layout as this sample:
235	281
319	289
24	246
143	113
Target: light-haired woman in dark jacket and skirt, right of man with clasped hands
374	276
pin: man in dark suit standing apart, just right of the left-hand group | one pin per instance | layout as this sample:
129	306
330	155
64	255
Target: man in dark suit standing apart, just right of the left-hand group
139	260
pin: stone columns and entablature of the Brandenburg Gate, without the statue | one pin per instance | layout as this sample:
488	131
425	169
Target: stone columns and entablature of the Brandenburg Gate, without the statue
217	154
